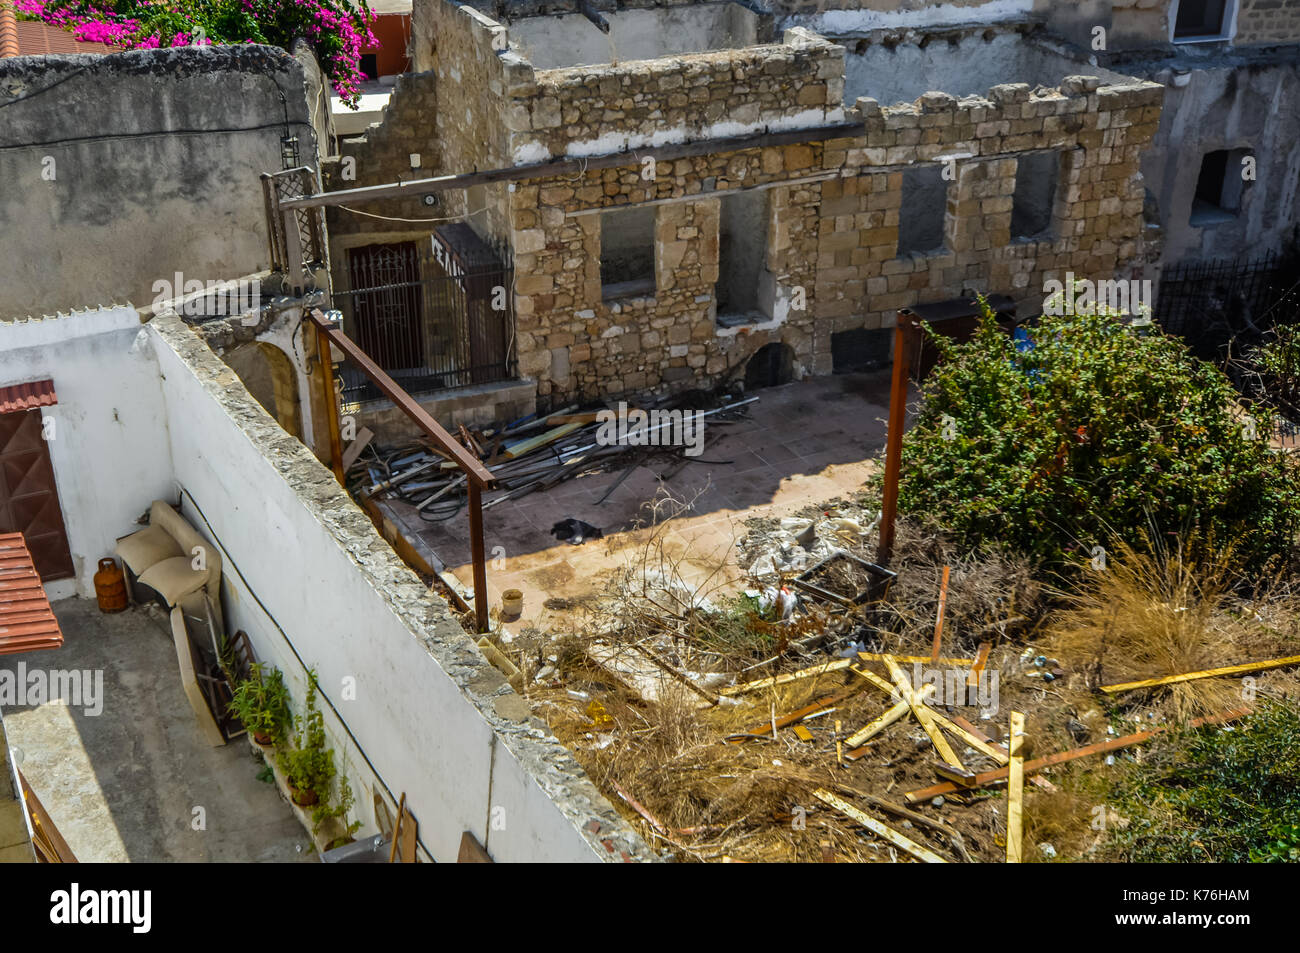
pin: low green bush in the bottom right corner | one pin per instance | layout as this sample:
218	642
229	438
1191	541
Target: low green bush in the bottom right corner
1216	795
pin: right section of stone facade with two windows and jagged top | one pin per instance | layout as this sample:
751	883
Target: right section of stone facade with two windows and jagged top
1099	135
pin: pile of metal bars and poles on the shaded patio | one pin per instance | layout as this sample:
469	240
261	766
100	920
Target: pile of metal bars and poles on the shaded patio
540	452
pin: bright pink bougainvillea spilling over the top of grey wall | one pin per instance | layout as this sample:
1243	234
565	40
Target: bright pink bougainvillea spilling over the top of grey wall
336	29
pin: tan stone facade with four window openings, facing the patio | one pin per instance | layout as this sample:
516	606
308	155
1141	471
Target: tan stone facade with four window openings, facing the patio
833	235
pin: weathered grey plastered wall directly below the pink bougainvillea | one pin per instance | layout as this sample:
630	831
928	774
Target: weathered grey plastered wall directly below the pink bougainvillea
122	171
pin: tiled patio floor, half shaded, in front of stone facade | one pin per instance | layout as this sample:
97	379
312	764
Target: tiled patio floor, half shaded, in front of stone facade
803	444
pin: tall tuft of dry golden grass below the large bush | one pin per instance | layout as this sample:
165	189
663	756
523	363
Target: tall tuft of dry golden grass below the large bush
1155	613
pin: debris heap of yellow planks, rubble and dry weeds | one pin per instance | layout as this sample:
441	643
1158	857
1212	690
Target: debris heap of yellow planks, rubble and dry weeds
831	711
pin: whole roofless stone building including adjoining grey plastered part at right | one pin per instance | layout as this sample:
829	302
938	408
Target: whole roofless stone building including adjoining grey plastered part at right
707	180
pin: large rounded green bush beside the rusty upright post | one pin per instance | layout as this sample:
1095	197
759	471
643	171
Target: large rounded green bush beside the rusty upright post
1097	430
